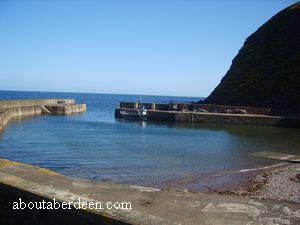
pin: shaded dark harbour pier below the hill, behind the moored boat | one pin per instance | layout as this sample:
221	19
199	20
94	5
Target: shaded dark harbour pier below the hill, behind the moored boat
192	113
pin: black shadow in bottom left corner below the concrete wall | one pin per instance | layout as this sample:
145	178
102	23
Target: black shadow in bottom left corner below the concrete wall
8	216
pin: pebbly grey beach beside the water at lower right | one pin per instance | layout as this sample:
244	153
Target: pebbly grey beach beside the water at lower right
282	183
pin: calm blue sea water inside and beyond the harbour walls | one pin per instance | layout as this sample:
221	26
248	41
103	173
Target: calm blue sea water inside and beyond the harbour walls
95	145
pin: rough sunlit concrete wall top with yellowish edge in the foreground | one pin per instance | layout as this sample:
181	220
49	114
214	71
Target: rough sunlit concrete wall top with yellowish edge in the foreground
149	205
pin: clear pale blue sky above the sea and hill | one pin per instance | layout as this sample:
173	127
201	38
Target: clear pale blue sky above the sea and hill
180	48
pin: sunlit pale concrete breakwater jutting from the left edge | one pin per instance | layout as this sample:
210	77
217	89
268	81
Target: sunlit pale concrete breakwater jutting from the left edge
33	107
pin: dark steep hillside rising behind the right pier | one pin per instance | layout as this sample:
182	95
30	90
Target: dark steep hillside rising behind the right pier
266	71
